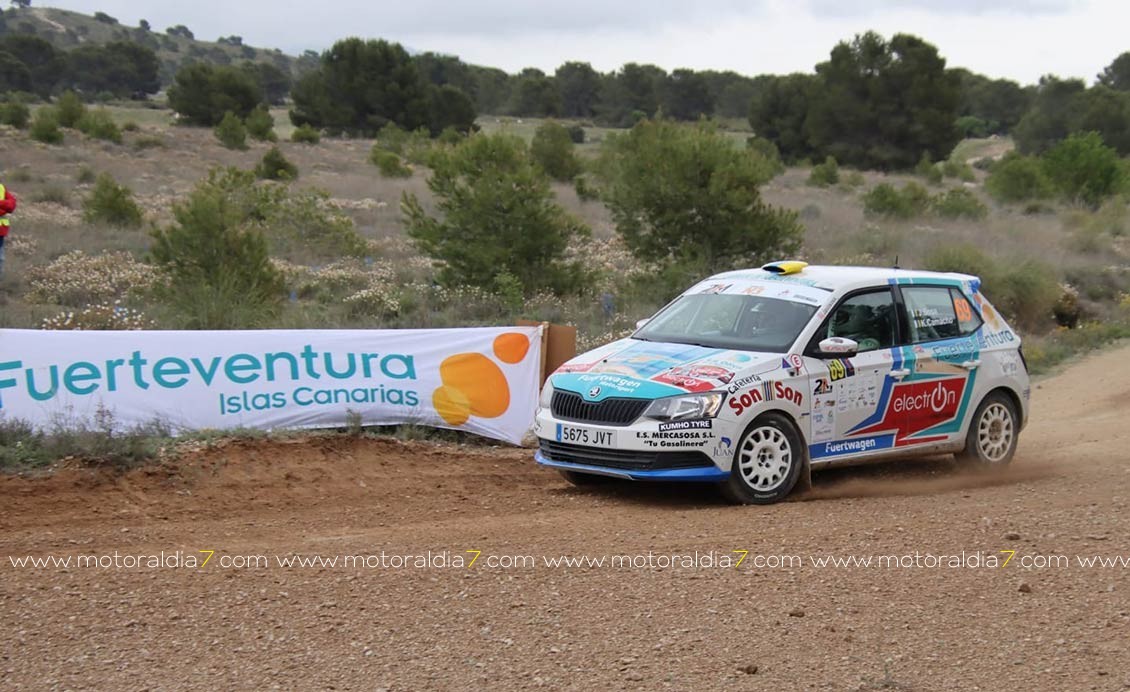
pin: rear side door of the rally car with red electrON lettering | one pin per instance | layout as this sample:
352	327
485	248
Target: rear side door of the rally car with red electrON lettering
944	359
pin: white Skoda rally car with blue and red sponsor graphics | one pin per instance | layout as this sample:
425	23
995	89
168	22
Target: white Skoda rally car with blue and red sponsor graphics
753	378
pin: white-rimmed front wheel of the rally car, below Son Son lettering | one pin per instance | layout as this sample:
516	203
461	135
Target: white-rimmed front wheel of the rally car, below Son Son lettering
768	464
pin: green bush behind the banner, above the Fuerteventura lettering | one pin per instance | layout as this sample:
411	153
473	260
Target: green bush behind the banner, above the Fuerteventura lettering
216	257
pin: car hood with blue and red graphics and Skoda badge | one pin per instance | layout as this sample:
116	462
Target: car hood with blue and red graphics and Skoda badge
653	370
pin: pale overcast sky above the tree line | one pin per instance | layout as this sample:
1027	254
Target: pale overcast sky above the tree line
1016	39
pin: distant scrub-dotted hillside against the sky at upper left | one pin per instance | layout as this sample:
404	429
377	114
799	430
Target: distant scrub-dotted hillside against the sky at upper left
67	30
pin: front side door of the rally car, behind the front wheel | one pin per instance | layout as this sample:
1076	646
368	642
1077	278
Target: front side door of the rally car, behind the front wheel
850	395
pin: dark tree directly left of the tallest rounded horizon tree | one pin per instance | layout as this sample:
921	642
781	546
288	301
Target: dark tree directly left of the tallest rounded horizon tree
778	114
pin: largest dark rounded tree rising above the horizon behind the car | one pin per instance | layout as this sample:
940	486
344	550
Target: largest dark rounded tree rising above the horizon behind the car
883	105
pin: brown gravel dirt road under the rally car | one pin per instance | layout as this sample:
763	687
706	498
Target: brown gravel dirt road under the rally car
771	624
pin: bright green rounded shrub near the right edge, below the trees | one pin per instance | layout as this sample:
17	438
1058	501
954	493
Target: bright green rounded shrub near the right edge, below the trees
1083	169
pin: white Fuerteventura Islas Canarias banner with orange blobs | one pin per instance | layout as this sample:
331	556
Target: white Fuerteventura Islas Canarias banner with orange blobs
483	380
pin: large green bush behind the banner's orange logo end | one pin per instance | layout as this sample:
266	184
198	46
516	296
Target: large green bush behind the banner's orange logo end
498	219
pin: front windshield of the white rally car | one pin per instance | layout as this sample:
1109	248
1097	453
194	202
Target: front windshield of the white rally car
740	323
